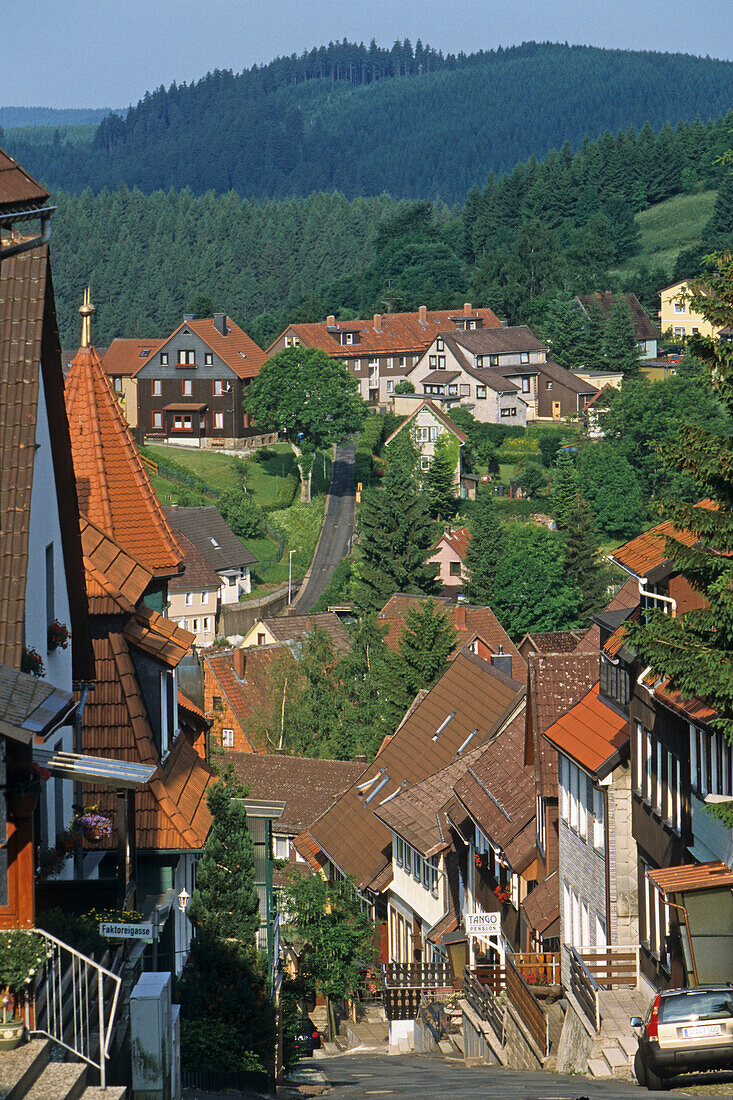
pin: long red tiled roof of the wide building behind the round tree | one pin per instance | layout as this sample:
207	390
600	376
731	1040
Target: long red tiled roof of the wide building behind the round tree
398	334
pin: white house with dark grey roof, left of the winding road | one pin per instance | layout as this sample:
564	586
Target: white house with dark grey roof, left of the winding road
223	551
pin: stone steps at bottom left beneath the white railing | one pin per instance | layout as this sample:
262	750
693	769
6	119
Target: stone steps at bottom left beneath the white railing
29	1074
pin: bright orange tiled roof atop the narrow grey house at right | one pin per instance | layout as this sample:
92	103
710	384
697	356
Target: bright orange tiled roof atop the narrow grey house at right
592	733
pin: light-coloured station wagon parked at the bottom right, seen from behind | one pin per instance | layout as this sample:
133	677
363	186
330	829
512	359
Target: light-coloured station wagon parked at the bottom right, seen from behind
685	1031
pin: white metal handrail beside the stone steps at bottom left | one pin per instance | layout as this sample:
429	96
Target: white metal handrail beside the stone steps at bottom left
64	997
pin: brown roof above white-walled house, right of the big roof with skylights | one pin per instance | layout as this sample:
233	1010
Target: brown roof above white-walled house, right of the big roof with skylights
418	815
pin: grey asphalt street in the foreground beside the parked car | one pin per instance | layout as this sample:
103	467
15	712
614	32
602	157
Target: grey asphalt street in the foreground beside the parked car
432	1077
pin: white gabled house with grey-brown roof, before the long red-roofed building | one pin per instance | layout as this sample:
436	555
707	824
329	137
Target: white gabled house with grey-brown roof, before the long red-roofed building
501	376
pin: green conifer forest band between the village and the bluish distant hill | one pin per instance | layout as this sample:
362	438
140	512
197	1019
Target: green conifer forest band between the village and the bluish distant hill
548	229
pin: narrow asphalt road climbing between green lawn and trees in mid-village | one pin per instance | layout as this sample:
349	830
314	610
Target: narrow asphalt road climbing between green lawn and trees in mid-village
338	529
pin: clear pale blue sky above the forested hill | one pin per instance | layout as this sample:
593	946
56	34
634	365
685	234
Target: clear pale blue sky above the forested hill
108	53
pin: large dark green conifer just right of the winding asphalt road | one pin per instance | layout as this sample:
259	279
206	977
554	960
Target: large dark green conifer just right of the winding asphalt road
396	542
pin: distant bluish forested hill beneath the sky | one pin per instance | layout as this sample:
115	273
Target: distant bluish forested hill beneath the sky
408	122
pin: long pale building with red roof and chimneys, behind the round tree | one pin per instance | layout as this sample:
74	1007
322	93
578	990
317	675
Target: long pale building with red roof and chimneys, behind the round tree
381	351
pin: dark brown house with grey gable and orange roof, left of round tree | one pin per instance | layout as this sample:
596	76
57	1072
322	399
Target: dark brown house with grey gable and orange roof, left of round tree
189	389
